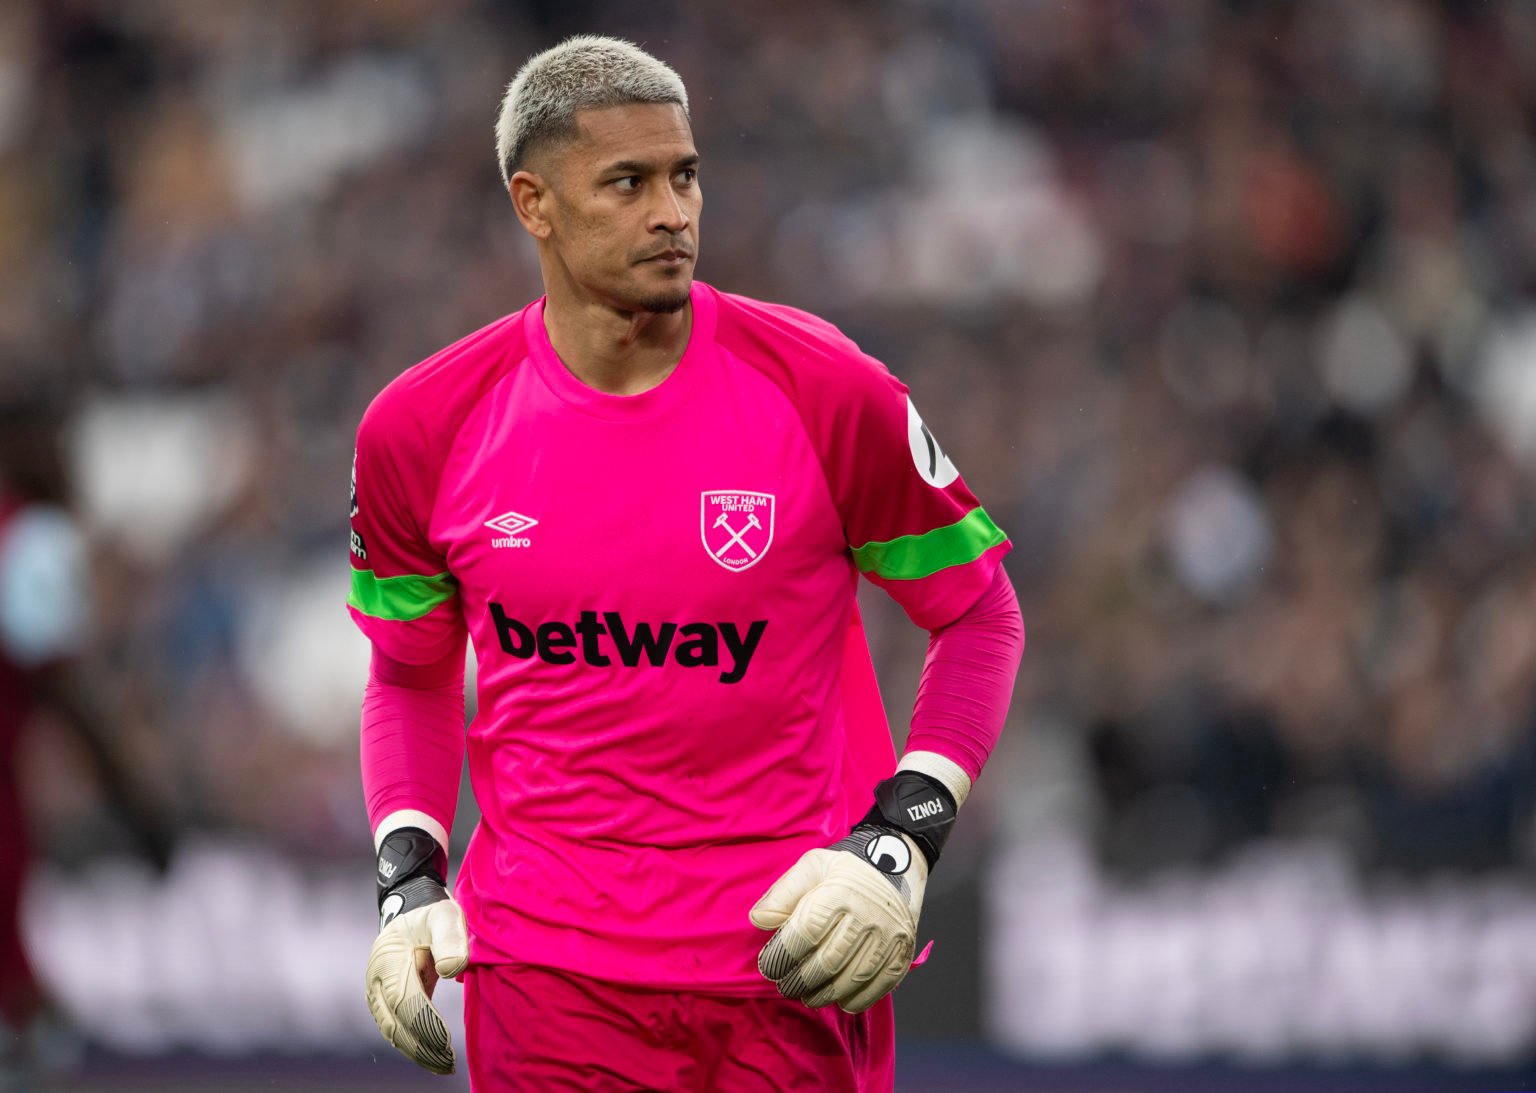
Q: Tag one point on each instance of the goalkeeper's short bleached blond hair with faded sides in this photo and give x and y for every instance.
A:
(581, 73)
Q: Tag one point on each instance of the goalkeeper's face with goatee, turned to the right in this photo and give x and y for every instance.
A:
(624, 206)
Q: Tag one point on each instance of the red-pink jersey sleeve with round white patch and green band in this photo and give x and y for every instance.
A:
(913, 526)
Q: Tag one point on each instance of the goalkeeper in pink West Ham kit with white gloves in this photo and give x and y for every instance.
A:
(647, 503)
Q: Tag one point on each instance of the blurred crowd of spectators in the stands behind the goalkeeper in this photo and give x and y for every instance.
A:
(1223, 308)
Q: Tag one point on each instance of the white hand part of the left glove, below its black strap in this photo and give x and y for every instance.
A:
(412, 951)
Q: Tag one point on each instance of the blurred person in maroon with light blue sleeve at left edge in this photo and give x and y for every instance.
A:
(45, 624)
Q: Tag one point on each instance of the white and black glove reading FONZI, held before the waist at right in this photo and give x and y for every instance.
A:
(846, 917)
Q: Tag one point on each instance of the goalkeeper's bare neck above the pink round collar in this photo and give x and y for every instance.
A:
(612, 351)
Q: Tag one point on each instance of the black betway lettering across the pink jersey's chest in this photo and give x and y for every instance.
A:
(690, 644)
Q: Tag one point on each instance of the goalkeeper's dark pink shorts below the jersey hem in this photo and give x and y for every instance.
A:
(537, 1029)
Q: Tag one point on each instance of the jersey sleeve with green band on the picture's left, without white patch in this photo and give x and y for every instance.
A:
(403, 596)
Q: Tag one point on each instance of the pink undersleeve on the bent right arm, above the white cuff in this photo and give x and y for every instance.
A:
(968, 679)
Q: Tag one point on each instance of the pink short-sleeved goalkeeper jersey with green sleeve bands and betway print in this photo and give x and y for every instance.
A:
(675, 696)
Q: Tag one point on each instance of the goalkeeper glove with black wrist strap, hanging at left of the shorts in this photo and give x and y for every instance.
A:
(422, 937)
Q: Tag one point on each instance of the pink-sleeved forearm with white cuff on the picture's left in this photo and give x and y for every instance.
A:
(412, 745)
